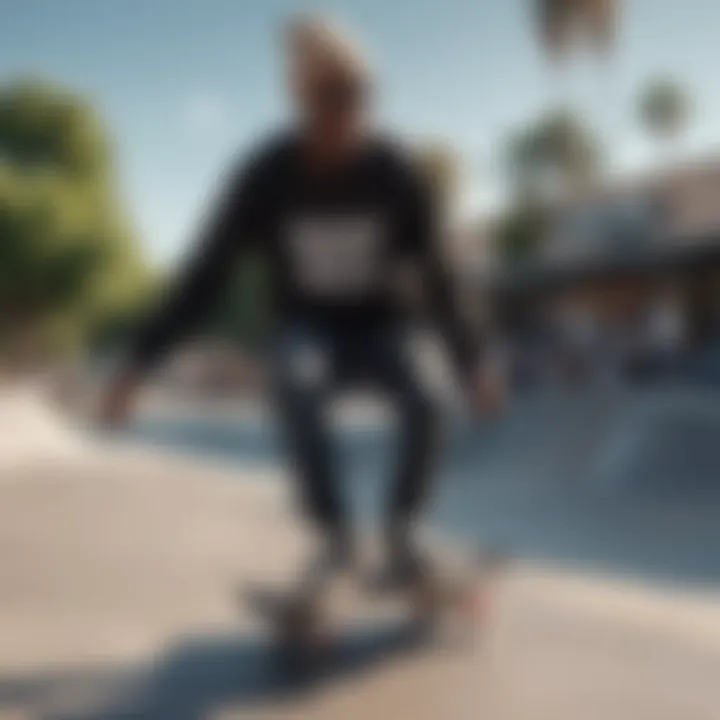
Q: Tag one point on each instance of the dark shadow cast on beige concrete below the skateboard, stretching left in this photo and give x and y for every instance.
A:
(200, 676)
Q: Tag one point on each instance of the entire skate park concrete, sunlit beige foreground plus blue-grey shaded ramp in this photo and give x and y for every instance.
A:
(121, 565)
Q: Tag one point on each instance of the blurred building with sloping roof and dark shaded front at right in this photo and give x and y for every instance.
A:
(634, 264)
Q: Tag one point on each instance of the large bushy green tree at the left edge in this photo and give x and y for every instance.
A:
(68, 260)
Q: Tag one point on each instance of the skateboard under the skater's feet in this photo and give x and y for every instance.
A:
(330, 622)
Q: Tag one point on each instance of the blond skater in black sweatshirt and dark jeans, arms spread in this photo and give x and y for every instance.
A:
(337, 207)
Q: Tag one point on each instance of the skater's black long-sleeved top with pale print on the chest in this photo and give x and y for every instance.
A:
(334, 240)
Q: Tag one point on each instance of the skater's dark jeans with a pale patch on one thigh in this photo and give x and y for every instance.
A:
(314, 361)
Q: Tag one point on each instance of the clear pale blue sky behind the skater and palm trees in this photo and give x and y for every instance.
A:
(183, 84)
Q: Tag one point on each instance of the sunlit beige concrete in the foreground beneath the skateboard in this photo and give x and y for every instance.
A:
(118, 580)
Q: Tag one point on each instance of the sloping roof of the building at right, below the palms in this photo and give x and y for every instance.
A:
(628, 225)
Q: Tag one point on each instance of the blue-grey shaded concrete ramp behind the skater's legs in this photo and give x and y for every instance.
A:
(618, 480)
